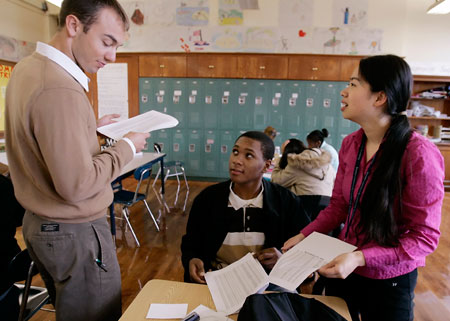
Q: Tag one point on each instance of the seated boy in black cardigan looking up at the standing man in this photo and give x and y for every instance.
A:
(242, 215)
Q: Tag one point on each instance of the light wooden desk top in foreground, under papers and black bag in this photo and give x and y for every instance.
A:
(162, 291)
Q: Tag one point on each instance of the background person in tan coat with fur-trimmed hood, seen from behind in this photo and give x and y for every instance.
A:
(307, 173)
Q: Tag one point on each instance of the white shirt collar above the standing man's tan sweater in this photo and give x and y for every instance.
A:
(65, 62)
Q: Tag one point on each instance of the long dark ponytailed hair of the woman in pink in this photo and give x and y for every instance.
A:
(392, 75)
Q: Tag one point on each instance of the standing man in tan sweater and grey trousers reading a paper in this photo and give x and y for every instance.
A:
(60, 176)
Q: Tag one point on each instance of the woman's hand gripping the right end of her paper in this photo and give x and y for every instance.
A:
(343, 265)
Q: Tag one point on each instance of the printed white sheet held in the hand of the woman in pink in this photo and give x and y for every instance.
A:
(306, 257)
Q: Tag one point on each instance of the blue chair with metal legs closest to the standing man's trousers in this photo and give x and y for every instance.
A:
(128, 198)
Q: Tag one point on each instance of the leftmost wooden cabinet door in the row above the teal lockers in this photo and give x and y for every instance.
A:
(162, 65)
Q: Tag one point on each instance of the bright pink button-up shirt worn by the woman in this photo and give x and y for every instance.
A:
(423, 192)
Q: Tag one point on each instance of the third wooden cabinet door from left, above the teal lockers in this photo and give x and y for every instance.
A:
(262, 66)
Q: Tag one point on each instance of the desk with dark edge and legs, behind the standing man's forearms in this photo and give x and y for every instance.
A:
(128, 170)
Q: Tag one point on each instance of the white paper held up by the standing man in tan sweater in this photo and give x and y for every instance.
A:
(143, 123)
